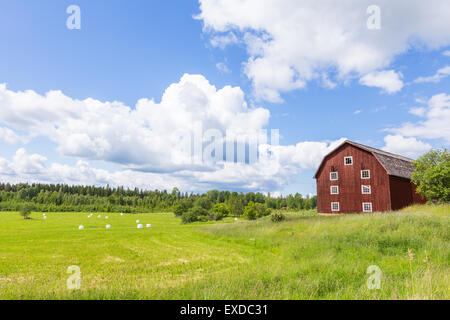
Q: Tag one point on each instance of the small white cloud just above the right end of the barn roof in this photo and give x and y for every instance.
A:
(408, 147)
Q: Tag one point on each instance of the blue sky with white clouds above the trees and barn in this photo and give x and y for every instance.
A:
(126, 51)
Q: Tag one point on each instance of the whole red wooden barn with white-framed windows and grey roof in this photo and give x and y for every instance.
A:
(357, 178)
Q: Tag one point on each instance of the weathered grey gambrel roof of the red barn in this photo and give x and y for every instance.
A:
(394, 164)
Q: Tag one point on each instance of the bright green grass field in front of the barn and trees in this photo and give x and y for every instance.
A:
(305, 257)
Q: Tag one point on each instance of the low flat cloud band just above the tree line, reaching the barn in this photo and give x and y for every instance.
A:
(266, 175)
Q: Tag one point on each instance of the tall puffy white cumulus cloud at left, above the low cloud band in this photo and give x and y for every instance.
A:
(140, 137)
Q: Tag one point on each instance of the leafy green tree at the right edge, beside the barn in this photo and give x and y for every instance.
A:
(432, 175)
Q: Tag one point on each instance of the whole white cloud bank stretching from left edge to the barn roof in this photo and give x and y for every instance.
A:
(146, 142)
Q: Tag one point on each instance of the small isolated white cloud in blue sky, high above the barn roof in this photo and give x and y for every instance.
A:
(390, 81)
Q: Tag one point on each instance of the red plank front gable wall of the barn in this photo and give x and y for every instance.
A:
(350, 196)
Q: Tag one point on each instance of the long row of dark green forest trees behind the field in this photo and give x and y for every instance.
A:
(67, 198)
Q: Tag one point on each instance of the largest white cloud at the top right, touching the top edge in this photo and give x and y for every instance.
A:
(290, 42)
